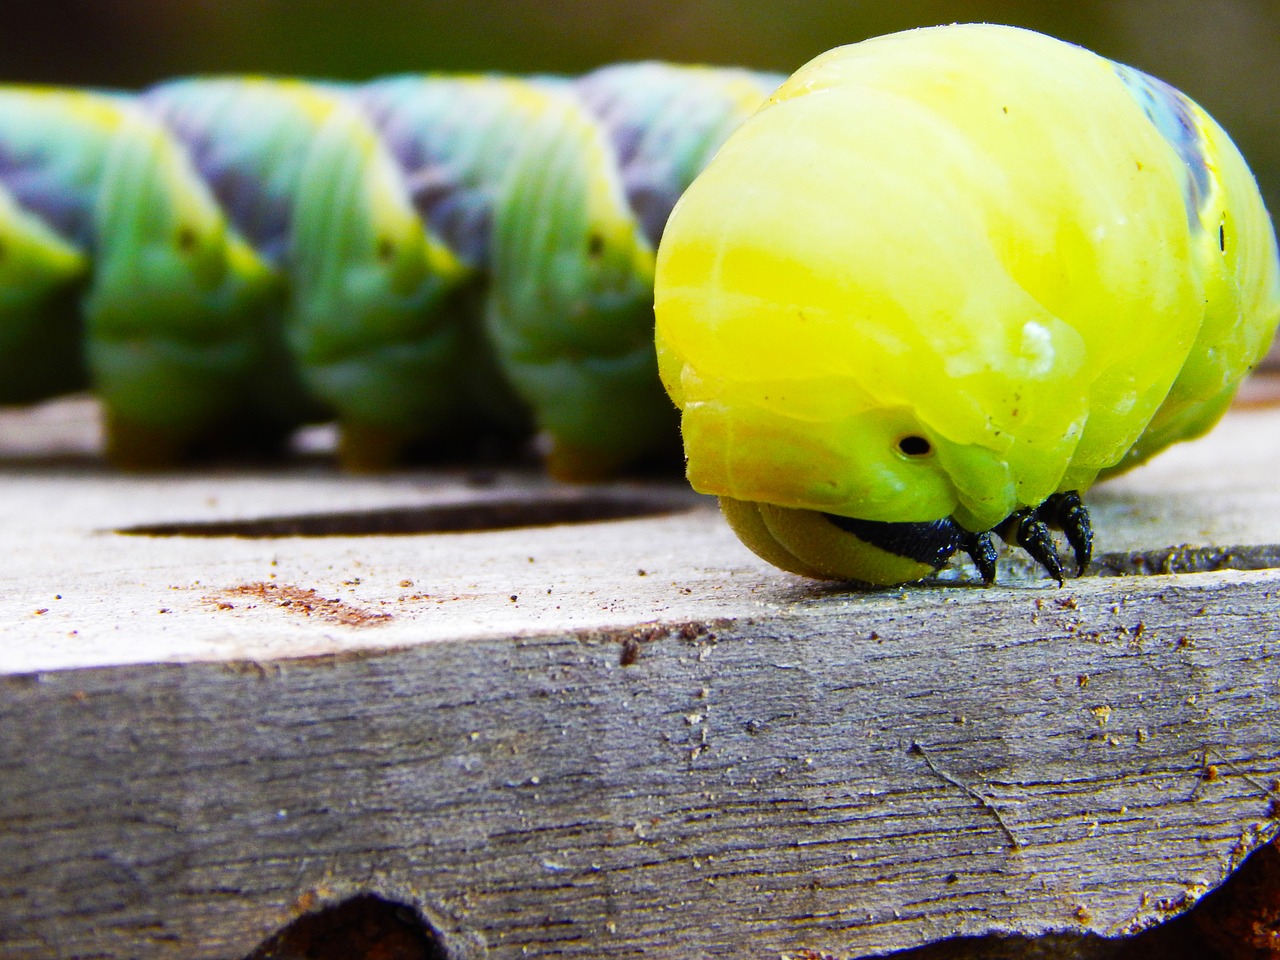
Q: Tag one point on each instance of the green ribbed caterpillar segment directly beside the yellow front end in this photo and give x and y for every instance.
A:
(572, 309)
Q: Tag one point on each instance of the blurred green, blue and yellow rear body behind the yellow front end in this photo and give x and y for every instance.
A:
(422, 258)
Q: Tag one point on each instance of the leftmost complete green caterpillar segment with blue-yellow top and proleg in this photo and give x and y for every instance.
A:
(167, 314)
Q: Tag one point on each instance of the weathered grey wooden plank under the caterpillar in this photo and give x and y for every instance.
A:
(707, 760)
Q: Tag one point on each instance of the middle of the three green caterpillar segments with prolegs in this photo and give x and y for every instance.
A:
(324, 200)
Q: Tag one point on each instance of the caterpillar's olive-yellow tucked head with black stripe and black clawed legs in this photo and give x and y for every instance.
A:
(830, 547)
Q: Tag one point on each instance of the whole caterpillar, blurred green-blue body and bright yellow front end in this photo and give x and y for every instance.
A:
(932, 289)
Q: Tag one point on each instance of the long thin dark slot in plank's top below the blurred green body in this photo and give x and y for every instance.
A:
(469, 516)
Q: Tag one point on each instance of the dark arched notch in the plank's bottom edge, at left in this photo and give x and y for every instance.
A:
(362, 929)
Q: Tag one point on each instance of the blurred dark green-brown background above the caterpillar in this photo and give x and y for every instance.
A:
(1223, 53)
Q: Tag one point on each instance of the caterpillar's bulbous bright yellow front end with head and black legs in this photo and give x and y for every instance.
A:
(985, 269)
